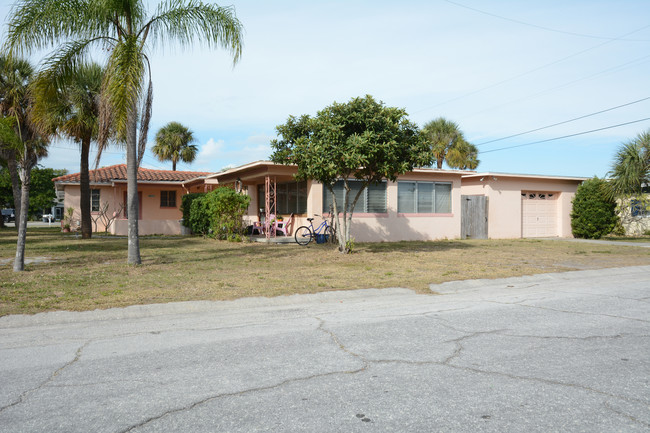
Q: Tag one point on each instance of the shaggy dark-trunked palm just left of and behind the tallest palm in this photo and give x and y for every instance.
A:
(72, 109)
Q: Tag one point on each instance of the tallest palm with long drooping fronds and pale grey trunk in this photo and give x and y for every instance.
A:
(127, 32)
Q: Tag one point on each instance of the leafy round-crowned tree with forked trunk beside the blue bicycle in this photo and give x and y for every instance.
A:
(360, 139)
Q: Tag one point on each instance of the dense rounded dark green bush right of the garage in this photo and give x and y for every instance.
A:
(593, 214)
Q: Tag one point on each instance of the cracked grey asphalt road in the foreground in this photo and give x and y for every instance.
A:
(557, 352)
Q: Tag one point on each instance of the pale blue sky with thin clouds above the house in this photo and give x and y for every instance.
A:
(497, 68)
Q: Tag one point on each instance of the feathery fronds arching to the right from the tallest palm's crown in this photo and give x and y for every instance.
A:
(191, 21)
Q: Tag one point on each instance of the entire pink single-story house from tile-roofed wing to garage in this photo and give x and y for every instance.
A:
(424, 204)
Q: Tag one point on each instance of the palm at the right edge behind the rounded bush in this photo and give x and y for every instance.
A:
(631, 168)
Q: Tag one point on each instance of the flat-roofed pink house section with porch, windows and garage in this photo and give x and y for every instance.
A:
(424, 204)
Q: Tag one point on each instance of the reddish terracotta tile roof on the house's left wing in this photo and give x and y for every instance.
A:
(118, 173)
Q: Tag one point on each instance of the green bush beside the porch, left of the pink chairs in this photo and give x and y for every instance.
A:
(219, 213)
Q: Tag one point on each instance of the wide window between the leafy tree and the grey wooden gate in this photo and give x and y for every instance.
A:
(423, 197)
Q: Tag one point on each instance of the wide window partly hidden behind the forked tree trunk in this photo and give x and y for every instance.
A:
(372, 200)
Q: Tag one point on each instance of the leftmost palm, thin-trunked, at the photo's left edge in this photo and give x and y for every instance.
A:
(21, 138)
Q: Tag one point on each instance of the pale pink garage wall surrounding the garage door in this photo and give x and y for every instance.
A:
(505, 204)
